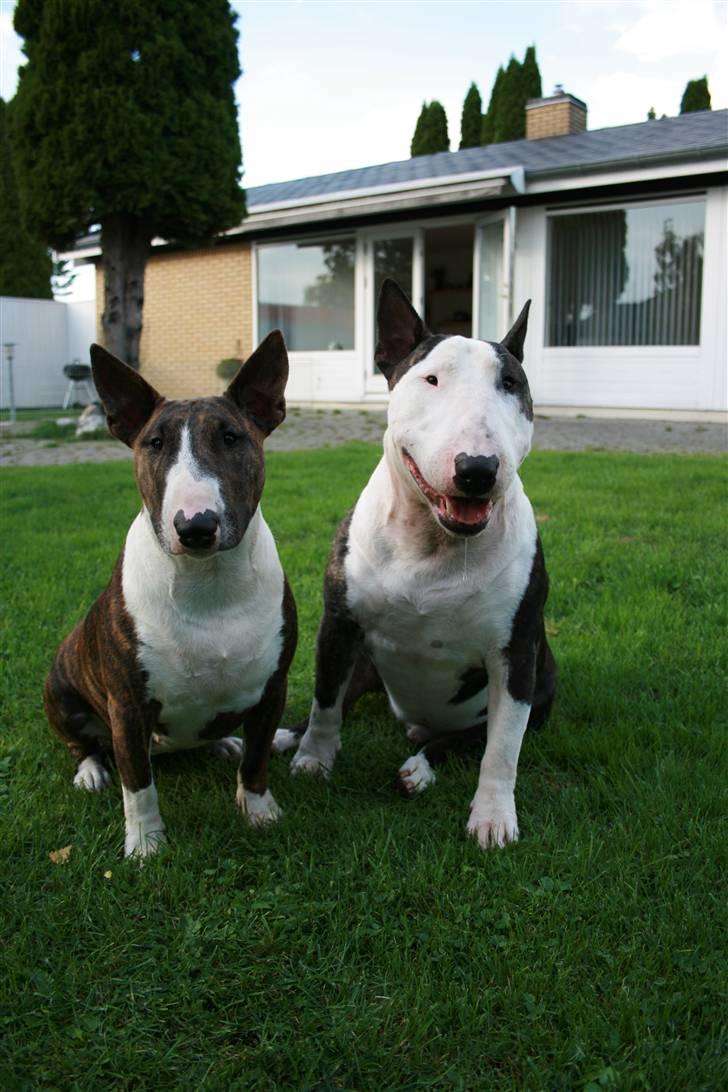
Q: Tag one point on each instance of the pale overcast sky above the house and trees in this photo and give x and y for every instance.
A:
(329, 86)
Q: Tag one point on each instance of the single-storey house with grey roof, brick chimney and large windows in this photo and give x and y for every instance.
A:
(619, 236)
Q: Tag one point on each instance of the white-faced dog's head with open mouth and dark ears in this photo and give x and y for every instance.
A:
(460, 417)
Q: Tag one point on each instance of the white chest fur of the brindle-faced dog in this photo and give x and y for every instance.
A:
(210, 632)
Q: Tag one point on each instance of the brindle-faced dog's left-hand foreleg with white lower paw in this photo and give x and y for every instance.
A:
(133, 740)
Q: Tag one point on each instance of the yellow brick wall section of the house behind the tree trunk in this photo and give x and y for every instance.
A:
(198, 310)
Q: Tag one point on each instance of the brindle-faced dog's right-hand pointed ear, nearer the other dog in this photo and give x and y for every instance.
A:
(259, 387)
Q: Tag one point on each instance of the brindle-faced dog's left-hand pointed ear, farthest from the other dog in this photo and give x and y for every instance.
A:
(128, 400)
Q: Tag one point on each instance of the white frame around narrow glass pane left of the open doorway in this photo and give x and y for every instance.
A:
(374, 382)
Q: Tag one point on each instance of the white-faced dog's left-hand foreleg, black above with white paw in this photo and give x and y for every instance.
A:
(338, 647)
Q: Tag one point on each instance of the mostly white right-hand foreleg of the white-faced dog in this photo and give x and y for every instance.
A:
(493, 812)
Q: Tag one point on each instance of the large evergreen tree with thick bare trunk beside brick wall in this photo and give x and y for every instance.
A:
(126, 118)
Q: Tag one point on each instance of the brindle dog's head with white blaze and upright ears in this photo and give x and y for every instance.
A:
(199, 465)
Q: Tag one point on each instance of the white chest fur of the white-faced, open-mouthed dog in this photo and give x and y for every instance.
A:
(432, 616)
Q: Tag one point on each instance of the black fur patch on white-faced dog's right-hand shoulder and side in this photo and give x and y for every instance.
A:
(531, 668)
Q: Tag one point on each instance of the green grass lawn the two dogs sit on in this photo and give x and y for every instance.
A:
(365, 943)
